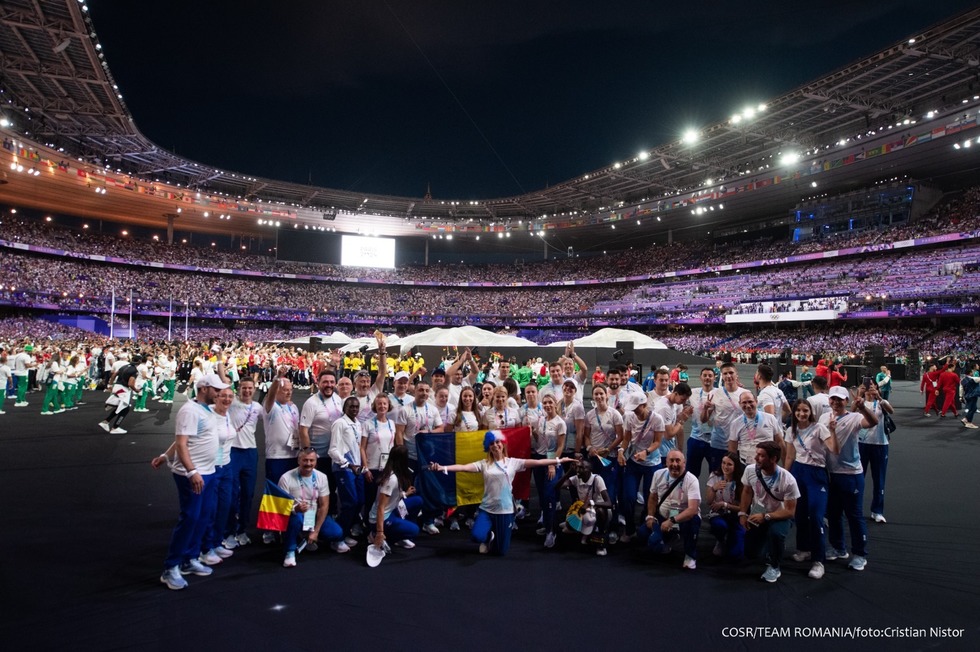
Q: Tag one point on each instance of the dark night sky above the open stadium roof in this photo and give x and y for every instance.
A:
(480, 99)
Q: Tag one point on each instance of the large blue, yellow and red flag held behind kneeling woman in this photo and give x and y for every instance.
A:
(440, 490)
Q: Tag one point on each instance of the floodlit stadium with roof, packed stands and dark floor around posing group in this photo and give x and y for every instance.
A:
(839, 220)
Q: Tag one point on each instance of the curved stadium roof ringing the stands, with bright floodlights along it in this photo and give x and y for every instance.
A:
(61, 91)
